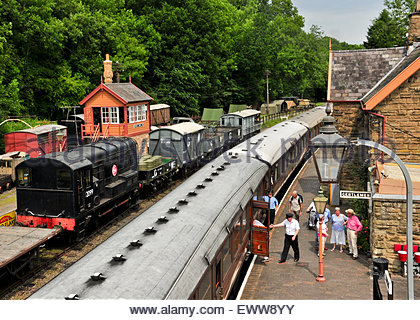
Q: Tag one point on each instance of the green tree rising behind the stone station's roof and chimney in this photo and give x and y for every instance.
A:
(391, 27)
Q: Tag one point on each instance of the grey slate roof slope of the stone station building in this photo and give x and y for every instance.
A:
(356, 72)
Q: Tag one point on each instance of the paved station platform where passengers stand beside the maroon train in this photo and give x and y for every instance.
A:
(346, 279)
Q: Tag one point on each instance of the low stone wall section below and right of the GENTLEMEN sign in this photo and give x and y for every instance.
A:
(388, 227)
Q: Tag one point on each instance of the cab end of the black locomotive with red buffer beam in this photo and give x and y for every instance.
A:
(51, 190)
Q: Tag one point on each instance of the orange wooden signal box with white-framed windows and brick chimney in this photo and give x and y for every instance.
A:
(117, 109)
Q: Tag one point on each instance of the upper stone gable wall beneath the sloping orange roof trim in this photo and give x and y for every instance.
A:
(402, 111)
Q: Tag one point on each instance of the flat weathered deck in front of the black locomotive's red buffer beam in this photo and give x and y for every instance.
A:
(19, 245)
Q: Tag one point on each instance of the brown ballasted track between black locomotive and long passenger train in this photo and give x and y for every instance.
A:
(53, 259)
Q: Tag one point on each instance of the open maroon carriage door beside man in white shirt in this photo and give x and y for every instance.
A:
(260, 240)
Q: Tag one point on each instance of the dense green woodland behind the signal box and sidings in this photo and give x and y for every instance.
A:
(190, 54)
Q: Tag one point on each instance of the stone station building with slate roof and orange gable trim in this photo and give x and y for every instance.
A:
(375, 95)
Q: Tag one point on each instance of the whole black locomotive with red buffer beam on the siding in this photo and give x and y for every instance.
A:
(73, 189)
